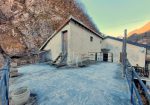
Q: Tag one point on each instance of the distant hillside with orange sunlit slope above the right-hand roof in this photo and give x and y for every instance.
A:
(141, 35)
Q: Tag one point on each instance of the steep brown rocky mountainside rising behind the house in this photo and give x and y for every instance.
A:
(26, 24)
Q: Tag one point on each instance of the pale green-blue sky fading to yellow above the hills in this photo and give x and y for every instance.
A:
(113, 16)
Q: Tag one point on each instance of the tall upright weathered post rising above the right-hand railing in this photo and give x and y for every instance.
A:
(124, 53)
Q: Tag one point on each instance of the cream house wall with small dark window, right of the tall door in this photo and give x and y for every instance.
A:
(80, 44)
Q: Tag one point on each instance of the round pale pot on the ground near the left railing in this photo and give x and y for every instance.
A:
(20, 96)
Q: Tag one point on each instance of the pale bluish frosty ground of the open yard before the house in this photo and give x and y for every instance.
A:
(100, 84)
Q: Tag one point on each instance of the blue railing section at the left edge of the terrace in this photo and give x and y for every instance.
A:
(4, 84)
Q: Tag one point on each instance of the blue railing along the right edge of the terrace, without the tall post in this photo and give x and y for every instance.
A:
(136, 98)
